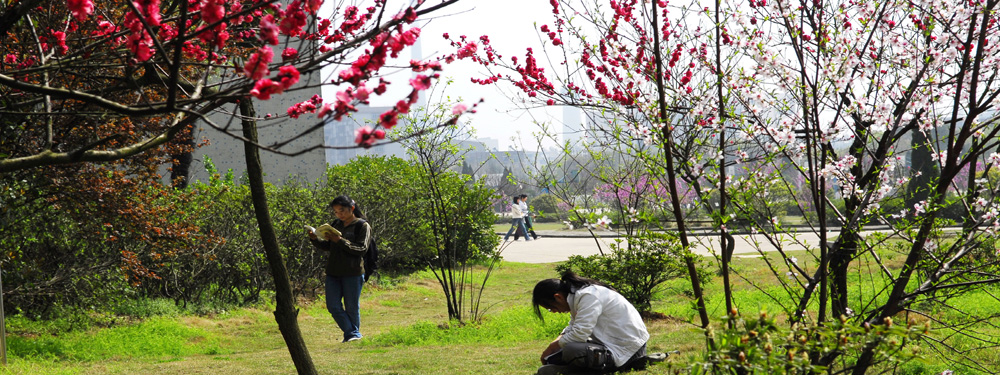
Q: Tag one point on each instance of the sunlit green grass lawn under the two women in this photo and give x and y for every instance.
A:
(405, 327)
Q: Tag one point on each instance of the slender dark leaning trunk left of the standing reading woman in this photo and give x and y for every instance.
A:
(285, 312)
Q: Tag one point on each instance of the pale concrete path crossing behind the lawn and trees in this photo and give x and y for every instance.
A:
(557, 246)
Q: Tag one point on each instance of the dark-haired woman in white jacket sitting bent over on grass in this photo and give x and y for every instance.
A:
(605, 332)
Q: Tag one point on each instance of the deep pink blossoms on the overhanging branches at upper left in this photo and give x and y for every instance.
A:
(273, 20)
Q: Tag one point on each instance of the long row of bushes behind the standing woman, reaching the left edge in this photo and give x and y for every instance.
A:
(57, 261)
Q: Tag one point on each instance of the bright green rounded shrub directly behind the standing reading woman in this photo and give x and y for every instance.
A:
(393, 195)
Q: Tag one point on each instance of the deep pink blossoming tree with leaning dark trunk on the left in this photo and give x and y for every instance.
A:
(98, 82)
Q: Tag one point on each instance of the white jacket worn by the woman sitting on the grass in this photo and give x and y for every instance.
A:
(605, 315)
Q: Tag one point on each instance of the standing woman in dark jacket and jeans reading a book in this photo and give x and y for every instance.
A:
(345, 265)
